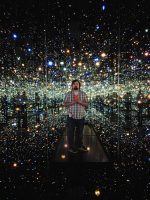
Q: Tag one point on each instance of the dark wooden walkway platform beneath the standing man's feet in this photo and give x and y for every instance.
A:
(95, 153)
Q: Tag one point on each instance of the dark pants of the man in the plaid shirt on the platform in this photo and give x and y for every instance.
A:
(75, 132)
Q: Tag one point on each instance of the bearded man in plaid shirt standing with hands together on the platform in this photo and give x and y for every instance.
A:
(76, 101)
